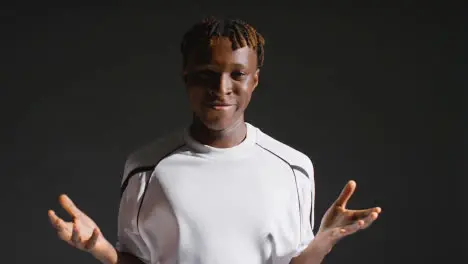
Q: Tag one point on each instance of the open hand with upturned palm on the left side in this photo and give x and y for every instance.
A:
(82, 232)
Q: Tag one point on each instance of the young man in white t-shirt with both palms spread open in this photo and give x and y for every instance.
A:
(221, 191)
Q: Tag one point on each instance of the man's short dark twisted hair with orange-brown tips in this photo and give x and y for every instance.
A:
(239, 32)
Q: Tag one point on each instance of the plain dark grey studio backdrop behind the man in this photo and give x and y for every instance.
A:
(371, 94)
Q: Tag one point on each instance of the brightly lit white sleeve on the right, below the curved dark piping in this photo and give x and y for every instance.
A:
(306, 190)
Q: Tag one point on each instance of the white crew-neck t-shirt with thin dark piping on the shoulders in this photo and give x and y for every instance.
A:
(188, 203)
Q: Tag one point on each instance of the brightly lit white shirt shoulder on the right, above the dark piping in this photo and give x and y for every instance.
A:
(298, 160)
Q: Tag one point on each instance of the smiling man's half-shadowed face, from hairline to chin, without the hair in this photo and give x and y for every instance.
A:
(220, 82)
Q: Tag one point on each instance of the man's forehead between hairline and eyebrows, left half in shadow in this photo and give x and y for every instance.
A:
(220, 53)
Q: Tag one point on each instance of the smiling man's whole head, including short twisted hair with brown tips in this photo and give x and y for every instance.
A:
(221, 64)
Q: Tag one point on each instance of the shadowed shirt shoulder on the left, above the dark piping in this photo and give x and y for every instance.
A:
(150, 154)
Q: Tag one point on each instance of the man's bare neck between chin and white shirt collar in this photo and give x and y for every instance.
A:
(226, 138)
